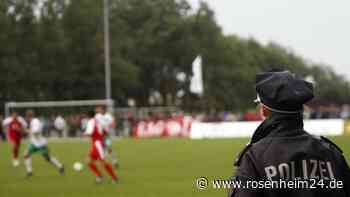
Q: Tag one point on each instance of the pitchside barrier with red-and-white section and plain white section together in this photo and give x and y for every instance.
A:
(185, 127)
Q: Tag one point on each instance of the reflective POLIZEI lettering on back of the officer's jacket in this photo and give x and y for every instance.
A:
(304, 169)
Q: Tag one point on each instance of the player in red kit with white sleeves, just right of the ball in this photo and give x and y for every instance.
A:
(97, 153)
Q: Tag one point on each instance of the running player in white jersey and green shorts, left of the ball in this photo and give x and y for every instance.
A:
(38, 144)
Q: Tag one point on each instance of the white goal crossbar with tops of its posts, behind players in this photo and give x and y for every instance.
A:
(52, 104)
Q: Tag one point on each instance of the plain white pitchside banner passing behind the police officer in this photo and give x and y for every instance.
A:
(199, 130)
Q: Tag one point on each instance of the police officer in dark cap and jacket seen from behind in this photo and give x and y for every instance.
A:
(280, 149)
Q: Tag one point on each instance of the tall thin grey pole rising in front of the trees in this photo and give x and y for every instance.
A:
(107, 50)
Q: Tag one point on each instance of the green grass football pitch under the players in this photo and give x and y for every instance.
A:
(149, 168)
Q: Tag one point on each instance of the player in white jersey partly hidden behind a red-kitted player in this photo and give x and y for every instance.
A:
(107, 122)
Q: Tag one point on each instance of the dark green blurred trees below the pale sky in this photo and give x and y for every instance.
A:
(56, 52)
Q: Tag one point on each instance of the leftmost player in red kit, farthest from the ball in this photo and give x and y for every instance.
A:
(15, 126)
